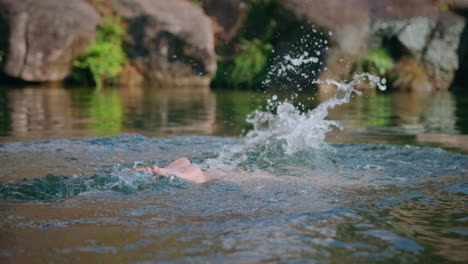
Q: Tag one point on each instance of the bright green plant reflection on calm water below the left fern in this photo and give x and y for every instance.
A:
(107, 109)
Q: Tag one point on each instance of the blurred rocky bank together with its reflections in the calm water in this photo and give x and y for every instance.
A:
(157, 67)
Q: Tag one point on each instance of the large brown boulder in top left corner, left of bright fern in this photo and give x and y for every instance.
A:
(40, 39)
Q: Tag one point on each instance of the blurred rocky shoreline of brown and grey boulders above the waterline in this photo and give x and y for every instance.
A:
(182, 42)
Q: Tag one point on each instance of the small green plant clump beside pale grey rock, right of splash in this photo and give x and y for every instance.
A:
(377, 62)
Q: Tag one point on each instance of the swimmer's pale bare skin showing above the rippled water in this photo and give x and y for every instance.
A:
(181, 168)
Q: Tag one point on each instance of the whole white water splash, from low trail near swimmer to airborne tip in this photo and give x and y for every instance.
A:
(285, 130)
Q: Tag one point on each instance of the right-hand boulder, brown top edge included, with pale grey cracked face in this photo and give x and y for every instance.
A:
(423, 31)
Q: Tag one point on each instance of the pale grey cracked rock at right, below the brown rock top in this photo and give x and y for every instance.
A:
(433, 41)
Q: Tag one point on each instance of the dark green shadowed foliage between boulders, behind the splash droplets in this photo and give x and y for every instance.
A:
(251, 55)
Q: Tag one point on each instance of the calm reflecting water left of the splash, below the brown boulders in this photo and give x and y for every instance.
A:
(43, 112)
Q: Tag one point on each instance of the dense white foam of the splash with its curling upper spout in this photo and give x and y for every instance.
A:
(302, 130)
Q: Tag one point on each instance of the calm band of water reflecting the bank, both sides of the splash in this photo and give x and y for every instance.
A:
(31, 113)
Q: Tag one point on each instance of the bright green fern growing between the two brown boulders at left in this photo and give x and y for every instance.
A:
(105, 57)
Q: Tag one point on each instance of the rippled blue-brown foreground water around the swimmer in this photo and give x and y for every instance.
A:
(353, 203)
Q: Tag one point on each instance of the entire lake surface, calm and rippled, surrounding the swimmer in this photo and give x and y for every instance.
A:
(391, 187)
